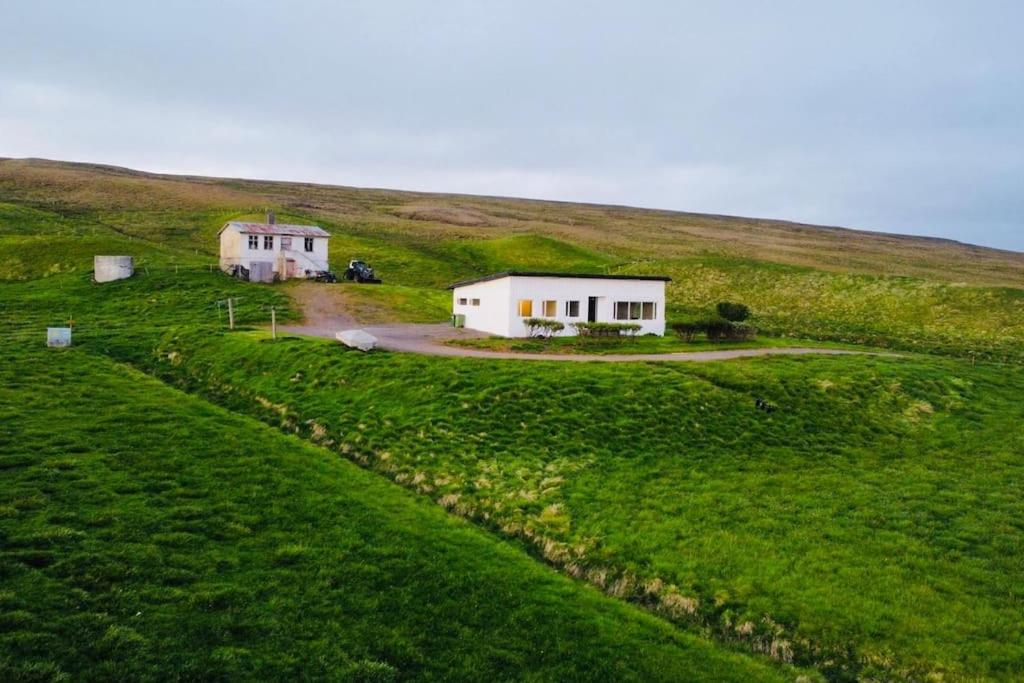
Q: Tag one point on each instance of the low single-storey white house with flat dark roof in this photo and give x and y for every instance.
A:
(499, 304)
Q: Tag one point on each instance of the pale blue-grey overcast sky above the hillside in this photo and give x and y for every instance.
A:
(905, 117)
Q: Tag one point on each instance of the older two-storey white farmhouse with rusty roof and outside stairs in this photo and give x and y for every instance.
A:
(262, 251)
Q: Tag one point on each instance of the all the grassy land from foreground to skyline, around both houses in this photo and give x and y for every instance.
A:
(869, 529)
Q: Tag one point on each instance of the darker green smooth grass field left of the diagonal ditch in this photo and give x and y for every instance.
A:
(155, 537)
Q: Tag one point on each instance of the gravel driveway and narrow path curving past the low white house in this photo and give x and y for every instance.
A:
(327, 314)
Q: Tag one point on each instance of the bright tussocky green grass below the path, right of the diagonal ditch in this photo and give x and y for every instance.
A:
(866, 486)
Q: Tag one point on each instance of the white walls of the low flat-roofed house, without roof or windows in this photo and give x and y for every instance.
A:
(498, 313)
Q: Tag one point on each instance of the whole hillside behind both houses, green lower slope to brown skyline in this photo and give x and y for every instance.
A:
(840, 285)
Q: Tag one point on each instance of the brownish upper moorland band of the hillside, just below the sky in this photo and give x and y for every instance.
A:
(135, 201)
